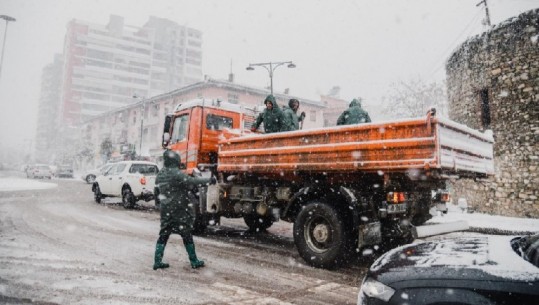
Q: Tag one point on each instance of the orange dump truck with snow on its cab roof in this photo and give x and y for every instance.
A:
(344, 188)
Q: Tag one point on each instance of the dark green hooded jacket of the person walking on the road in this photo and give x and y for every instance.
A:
(177, 212)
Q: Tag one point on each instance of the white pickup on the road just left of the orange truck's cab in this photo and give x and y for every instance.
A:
(130, 180)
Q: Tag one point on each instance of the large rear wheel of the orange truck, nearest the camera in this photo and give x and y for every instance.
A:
(321, 235)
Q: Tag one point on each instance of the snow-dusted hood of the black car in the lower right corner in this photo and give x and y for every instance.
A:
(482, 258)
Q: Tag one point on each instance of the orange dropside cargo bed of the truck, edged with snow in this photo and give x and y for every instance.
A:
(431, 143)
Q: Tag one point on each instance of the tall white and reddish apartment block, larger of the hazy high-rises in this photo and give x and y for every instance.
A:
(105, 66)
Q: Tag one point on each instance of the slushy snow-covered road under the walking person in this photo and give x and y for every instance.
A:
(59, 247)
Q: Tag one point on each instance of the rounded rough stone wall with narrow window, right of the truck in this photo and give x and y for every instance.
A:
(500, 68)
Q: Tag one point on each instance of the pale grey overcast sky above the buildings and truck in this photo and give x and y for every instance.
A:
(362, 46)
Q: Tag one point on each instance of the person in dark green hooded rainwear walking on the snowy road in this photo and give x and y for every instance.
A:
(177, 214)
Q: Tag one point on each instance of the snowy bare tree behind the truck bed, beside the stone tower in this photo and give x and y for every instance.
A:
(412, 98)
